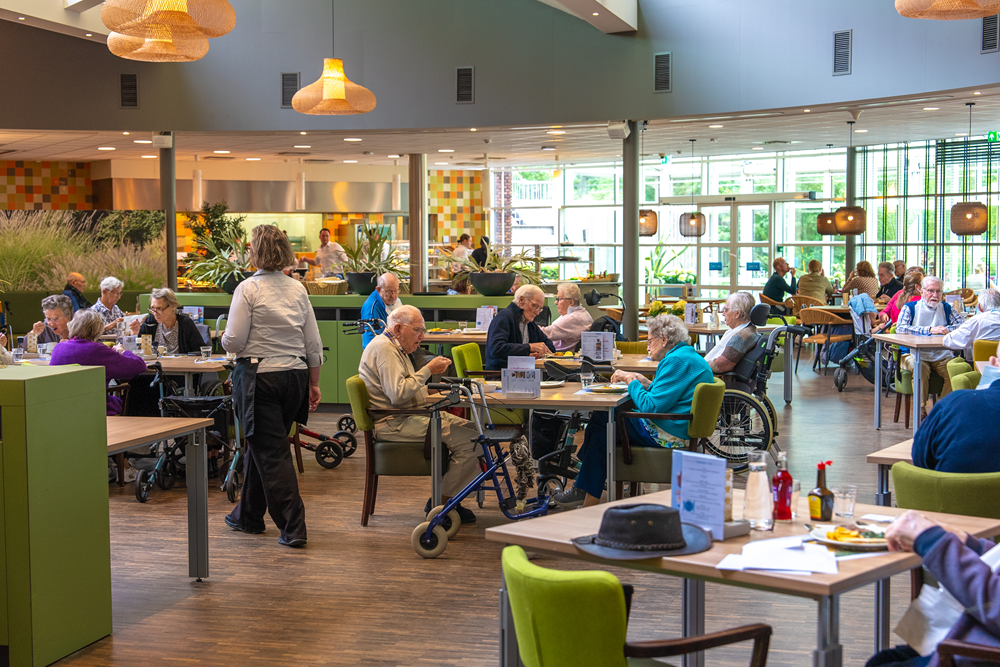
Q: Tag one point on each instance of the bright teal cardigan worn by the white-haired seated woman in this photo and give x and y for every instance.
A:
(672, 390)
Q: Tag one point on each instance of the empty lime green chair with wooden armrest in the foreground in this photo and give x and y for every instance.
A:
(594, 633)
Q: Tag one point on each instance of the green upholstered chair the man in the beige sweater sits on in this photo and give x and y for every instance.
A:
(399, 459)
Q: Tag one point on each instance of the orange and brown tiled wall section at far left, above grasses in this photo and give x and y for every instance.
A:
(46, 186)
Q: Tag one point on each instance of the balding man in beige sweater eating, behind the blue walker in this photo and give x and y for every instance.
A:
(393, 383)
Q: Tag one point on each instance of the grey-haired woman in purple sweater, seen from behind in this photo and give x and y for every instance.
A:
(82, 348)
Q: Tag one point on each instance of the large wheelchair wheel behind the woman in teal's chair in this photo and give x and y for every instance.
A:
(744, 426)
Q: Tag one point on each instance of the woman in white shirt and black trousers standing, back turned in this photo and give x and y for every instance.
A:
(272, 330)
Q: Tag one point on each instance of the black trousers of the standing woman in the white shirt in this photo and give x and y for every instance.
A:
(269, 481)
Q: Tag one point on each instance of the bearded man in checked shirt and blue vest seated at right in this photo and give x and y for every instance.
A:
(929, 317)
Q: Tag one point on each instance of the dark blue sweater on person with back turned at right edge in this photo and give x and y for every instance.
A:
(959, 434)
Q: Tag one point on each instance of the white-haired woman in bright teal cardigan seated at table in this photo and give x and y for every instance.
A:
(679, 371)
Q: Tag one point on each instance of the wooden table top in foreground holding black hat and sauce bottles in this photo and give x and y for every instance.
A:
(553, 534)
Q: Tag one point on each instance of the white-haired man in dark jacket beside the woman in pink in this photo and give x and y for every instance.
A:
(513, 332)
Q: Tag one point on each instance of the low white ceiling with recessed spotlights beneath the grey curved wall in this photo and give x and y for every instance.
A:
(886, 121)
